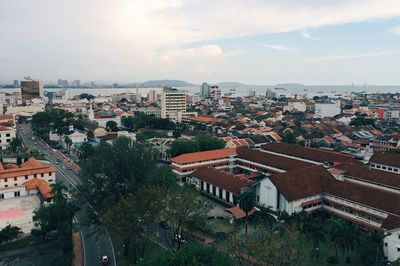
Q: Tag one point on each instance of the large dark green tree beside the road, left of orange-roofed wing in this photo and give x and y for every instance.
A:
(116, 169)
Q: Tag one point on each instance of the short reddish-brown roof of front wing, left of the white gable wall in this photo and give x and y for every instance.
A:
(222, 179)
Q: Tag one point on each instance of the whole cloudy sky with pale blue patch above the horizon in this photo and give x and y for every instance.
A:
(250, 41)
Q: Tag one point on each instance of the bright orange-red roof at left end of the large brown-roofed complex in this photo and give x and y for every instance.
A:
(203, 156)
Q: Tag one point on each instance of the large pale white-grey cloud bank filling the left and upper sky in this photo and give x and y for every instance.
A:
(113, 39)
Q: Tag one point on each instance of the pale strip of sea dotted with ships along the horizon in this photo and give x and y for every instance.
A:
(289, 90)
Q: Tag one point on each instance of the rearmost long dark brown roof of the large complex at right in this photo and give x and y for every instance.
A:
(309, 153)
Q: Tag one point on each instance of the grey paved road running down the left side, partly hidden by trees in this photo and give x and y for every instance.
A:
(95, 244)
